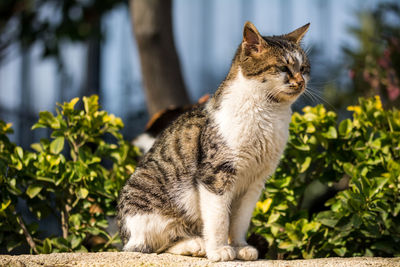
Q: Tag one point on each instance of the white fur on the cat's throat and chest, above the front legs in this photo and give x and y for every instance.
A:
(253, 127)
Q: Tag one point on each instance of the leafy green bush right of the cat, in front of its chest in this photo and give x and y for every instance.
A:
(364, 154)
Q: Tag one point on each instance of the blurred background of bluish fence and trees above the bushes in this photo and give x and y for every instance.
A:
(179, 50)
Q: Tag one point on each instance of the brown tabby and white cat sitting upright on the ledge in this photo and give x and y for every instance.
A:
(193, 193)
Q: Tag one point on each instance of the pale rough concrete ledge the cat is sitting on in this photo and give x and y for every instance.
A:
(122, 259)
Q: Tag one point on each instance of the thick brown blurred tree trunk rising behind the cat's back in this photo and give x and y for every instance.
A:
(161, 73)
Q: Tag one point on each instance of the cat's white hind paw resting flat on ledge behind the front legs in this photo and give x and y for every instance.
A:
(193, 246)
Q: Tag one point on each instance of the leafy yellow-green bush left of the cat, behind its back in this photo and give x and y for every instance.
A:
(67, 177)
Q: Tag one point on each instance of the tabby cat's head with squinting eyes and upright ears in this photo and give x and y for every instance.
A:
(277, 64)
